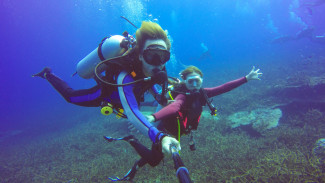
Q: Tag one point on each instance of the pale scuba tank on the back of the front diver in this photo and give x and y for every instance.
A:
(111, 47)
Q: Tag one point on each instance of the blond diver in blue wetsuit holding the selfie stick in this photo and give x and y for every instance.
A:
(128, 75)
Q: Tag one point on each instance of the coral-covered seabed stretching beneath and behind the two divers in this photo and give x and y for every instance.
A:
(287, 153)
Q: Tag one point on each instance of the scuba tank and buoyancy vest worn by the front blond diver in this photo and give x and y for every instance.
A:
(104, 64)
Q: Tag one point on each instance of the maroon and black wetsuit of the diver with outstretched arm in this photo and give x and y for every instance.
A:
(168, 116)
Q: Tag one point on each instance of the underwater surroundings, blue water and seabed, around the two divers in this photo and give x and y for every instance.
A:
(265, 131)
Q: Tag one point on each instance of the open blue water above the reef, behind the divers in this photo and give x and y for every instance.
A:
(59, 33)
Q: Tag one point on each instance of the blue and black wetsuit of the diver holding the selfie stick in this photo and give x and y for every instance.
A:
(127, 97)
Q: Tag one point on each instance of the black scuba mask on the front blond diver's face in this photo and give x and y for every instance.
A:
(156, 57)
